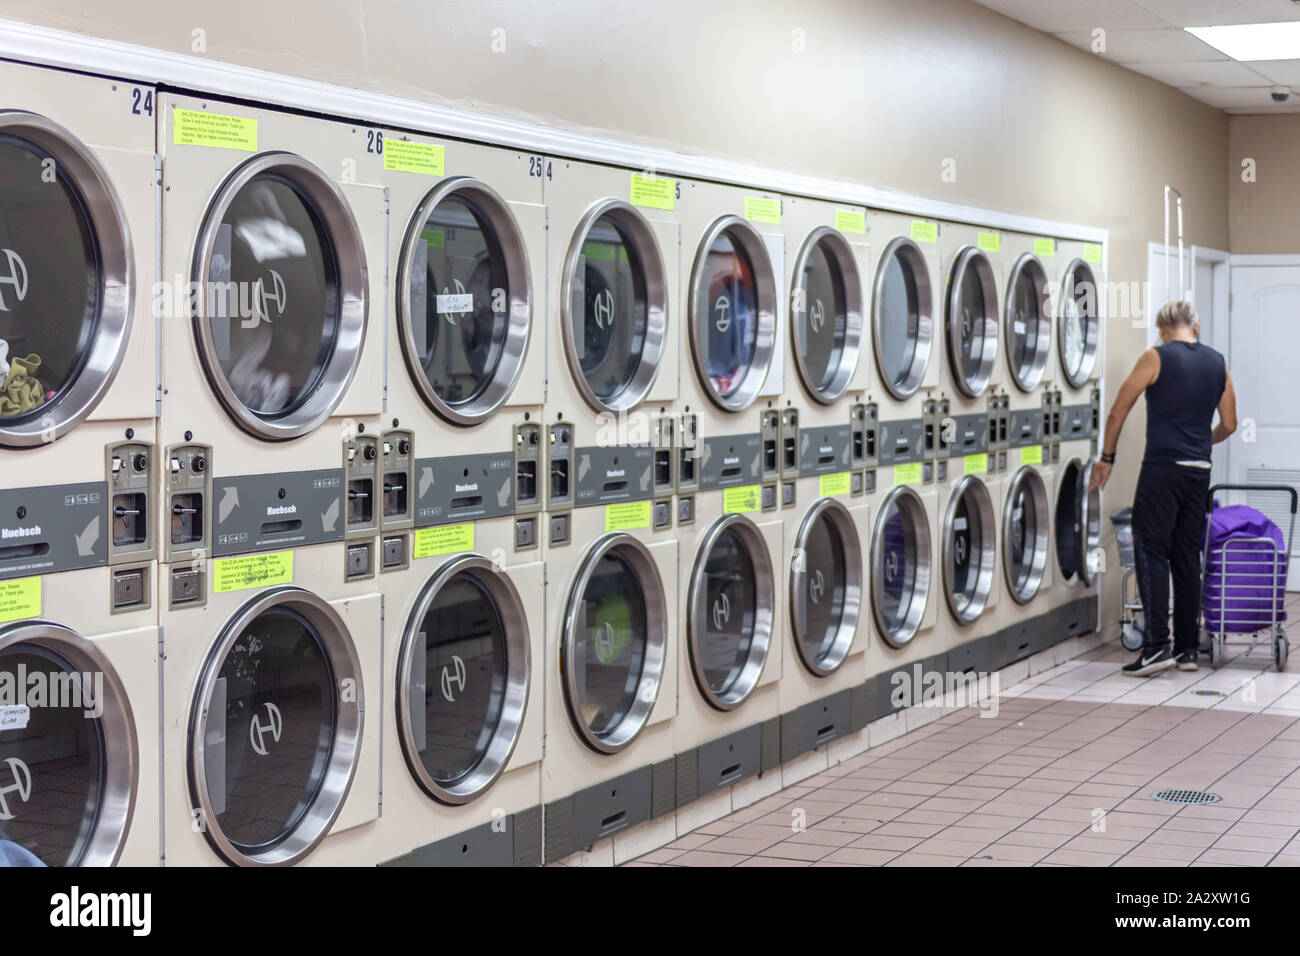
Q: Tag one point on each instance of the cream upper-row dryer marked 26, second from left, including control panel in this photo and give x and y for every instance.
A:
(274, 340)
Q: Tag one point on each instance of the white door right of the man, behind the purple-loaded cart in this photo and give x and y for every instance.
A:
(1266, 364)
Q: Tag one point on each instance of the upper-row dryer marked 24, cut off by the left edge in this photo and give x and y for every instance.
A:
(79, 343)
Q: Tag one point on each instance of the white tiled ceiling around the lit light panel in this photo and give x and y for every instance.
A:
(1149, 37)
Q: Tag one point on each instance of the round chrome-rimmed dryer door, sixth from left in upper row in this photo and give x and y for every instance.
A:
(827, 325)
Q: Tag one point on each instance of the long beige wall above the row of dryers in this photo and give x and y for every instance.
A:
(883, 94)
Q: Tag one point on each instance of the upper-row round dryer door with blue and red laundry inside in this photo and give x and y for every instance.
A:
(733, 313)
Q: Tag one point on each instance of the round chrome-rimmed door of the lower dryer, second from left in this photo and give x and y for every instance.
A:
(276, 729)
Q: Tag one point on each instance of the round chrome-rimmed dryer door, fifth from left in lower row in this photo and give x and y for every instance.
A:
(731, 612)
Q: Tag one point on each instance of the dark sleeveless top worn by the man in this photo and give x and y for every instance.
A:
(1181, 403)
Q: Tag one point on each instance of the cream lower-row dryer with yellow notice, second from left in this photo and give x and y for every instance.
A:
(274, 715)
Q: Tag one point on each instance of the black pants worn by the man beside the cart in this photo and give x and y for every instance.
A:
(1169, 534)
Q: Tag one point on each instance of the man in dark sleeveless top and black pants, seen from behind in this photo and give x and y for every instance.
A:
(1186, 383)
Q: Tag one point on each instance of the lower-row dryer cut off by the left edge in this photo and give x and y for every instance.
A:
(80, 771)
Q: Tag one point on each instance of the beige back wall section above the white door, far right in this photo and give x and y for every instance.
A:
(1264, 217)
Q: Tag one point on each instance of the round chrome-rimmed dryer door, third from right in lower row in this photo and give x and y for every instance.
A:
(969, 550)
